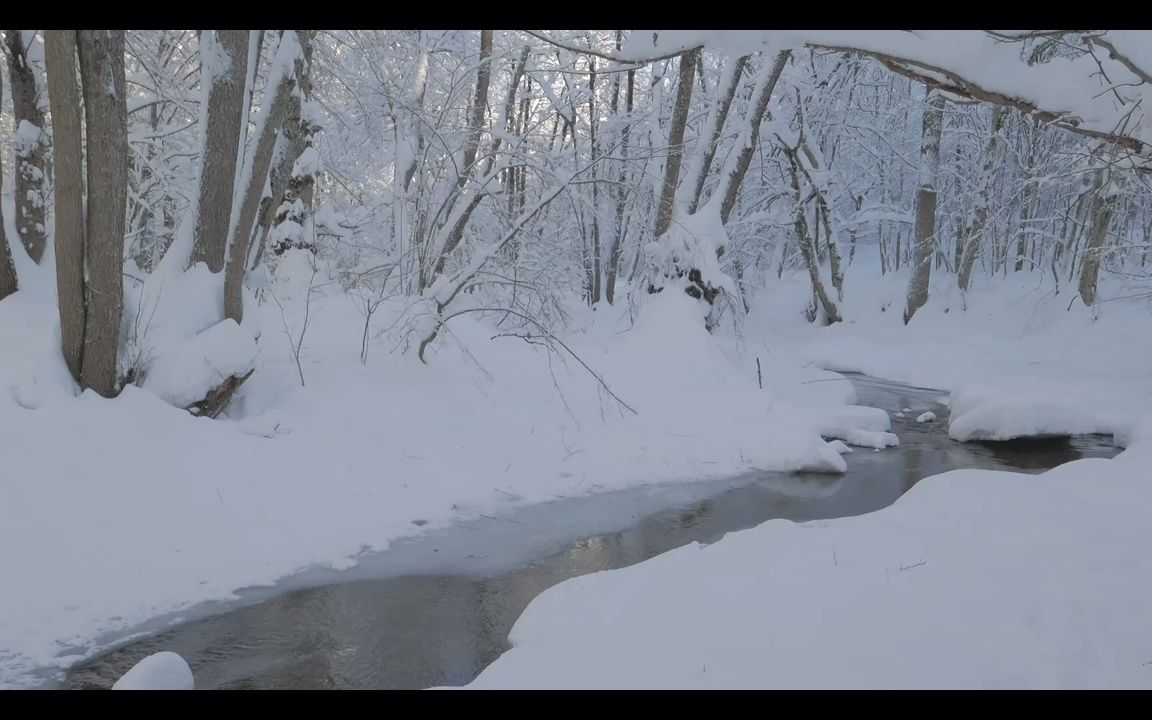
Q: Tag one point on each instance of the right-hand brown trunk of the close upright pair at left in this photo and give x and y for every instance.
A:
(102, 69)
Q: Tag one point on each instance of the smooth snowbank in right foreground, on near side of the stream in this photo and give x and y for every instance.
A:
(974, 580)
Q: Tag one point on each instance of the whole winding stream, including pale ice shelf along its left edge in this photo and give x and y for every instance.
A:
(437, 610)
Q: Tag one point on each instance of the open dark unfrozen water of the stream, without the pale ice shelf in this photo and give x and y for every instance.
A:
(443, 628)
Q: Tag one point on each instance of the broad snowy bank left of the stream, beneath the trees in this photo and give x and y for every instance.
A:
(117, 512)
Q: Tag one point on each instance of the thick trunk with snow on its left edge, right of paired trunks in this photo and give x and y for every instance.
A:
(224, 56)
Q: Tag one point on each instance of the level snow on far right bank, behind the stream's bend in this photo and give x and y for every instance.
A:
(1019, 361)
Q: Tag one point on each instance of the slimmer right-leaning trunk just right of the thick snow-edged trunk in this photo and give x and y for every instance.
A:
(282, 88)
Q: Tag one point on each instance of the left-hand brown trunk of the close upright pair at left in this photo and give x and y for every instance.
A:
(69, 168)
